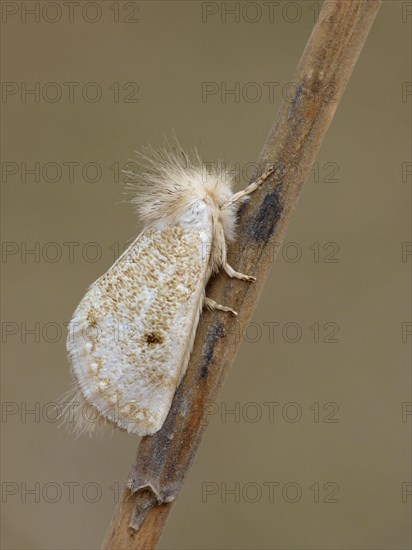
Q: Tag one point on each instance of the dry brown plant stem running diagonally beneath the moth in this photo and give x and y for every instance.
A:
(163, 460)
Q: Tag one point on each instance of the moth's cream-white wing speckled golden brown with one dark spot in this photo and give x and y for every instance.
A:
(131, 335)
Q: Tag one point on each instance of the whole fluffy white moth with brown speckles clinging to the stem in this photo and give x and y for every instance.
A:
(131, 336)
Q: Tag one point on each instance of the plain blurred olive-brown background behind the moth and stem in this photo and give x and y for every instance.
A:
(357, 446)
